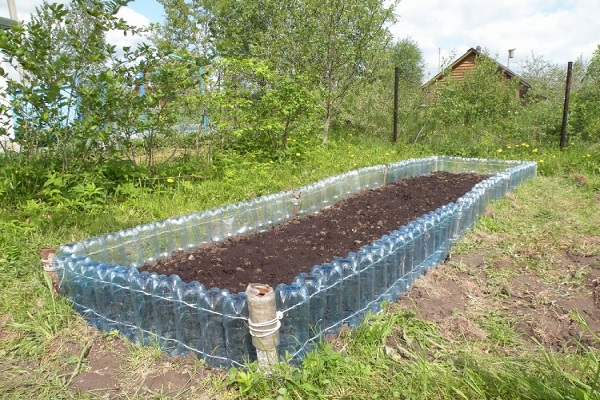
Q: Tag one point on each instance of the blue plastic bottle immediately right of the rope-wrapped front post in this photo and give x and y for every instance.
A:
(294, 302)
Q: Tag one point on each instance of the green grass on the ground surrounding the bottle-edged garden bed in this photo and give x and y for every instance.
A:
(395, 355)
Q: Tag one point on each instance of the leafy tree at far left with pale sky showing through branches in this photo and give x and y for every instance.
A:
(56, 50)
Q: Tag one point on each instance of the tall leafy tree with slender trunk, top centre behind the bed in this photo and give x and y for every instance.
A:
(330, 44)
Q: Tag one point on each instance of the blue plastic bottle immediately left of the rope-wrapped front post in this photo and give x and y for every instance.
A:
(237, 335)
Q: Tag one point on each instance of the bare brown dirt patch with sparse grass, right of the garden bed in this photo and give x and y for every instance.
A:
(551, 307)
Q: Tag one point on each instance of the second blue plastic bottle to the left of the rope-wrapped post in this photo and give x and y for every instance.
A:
(213, 332)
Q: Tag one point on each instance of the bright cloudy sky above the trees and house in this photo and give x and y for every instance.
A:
(556, 30)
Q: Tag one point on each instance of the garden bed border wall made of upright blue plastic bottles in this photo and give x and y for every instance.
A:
(100, 275)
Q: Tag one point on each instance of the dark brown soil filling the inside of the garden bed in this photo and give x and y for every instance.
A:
(279, 254)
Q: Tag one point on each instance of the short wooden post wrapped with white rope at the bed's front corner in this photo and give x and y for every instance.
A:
(263, 323)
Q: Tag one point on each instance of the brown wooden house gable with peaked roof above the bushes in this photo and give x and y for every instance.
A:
(465, 63)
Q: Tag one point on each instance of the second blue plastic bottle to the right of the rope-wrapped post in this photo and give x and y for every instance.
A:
(332, 282)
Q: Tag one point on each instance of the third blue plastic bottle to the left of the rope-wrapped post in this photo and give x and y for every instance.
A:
(188, 326)
